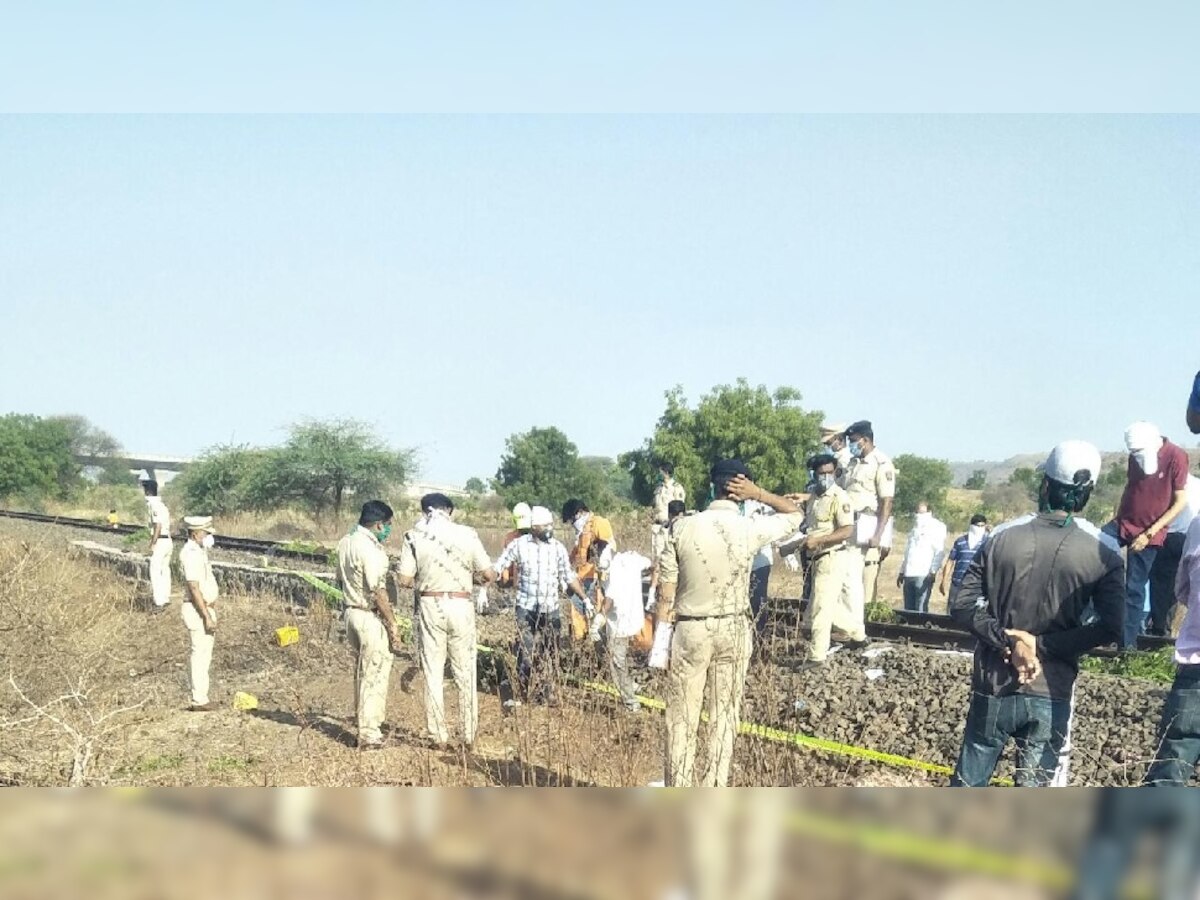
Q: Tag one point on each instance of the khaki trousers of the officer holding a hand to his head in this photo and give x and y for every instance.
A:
(715, 653)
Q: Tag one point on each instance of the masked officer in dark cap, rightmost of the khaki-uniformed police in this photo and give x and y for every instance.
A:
(871, 481)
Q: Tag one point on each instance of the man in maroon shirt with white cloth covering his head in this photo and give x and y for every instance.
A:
(1156, 493)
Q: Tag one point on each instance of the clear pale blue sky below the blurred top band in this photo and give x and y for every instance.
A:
(977, 286)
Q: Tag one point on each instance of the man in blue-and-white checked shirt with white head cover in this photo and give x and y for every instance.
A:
(543, 568)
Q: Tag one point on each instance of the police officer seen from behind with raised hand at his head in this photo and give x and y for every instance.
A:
(705, 581)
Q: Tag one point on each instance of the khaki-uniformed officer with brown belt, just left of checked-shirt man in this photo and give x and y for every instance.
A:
(443, 561)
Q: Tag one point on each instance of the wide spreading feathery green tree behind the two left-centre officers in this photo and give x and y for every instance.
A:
(322, 464)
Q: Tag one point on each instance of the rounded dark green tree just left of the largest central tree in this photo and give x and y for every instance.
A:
(543, 467)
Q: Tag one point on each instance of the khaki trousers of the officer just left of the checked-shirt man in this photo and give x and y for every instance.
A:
(448, 629)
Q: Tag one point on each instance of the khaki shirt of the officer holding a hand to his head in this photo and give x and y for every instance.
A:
(709, 556)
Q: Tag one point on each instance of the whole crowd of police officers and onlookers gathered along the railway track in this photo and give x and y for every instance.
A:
(1037, 592)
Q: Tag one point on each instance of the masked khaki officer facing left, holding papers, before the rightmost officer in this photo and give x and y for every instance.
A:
(829, 526)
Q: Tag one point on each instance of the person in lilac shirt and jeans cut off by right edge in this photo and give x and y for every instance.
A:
(1179, 733)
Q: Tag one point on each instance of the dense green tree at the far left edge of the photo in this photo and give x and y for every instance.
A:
(37, 459)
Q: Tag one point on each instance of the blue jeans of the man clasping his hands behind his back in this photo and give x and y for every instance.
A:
(1039, 725)
